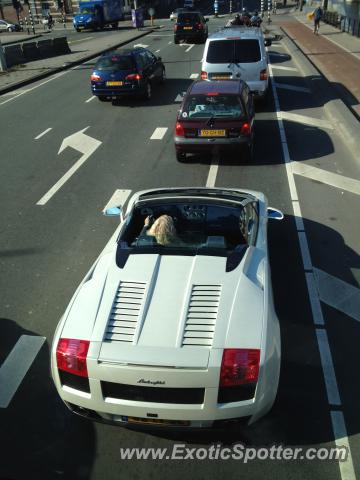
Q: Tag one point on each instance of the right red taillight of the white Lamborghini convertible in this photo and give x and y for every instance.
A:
(239, 366)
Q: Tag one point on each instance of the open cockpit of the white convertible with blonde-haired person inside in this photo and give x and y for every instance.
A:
(189, 228)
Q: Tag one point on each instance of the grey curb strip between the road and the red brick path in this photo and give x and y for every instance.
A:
(347, 123)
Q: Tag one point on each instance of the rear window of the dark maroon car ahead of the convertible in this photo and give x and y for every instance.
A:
(216, 106)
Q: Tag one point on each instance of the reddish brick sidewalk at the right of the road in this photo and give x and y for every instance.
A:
(336, 54)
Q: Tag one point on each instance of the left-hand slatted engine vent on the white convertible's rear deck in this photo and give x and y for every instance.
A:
(125, 312)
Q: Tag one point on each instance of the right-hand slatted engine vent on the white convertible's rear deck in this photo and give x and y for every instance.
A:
(201, 315)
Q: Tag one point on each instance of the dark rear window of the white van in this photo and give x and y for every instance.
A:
(234, 51)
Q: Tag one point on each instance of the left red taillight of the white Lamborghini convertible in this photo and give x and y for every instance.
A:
(71, 356)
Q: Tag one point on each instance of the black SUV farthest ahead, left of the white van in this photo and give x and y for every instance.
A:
(190, 25)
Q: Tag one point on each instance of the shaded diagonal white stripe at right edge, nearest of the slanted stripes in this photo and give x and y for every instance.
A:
(338, 294)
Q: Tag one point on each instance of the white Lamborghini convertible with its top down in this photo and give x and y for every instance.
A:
(175, 329)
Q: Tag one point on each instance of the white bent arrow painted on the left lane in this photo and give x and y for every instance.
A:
(83, 144)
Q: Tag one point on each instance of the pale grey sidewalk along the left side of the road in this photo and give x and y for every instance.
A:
(21, 75)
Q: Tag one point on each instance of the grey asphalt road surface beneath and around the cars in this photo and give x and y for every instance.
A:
(47, 246)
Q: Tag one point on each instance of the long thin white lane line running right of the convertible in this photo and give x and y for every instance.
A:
(346, 468)
